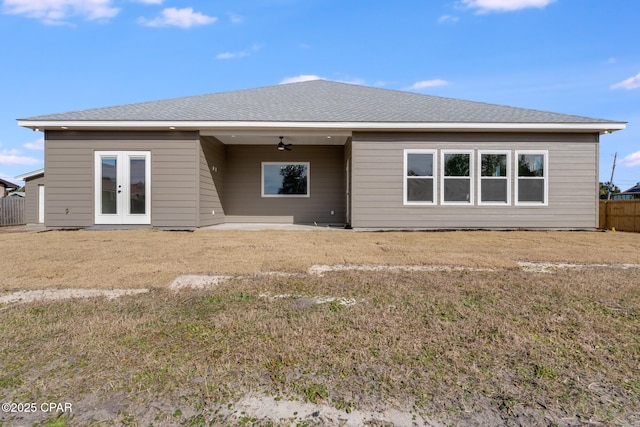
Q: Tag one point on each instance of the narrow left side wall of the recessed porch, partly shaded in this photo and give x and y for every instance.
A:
(212, 170)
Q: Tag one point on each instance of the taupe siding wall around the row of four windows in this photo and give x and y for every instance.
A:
(377, 193)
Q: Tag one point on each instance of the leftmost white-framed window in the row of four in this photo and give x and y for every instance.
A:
(419, 177)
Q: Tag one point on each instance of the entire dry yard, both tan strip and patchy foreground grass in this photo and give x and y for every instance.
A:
(502, 347)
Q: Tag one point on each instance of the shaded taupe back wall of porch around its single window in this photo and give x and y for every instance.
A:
(242, 193)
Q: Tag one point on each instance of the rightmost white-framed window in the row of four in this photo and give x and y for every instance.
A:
(531, 177)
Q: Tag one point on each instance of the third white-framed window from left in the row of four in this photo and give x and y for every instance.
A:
(494, 180)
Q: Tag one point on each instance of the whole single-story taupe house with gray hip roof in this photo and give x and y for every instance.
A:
(323, 152)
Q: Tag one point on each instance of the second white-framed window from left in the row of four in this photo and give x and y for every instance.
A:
(457, 173)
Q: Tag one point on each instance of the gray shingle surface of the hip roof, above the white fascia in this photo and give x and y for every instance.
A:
(317, 101)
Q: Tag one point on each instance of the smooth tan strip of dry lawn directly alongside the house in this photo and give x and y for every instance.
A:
(151, 258)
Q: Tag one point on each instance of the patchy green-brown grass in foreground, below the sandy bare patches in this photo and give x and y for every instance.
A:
(453, 346)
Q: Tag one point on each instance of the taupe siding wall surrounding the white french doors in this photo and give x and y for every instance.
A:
(69, 166)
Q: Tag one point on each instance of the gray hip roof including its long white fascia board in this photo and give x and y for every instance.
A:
(314, 104)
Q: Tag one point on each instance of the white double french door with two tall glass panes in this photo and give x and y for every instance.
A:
(123, 187)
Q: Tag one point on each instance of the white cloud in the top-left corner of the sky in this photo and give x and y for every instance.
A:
(55, 12)
